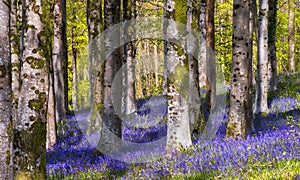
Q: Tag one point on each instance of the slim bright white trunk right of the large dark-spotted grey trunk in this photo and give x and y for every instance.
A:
(262, 59)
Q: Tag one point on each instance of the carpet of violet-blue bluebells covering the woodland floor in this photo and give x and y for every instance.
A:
(277, 139)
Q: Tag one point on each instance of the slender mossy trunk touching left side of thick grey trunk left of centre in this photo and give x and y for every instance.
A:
(95, 23)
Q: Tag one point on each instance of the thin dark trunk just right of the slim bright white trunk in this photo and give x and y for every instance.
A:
(272, 69)
